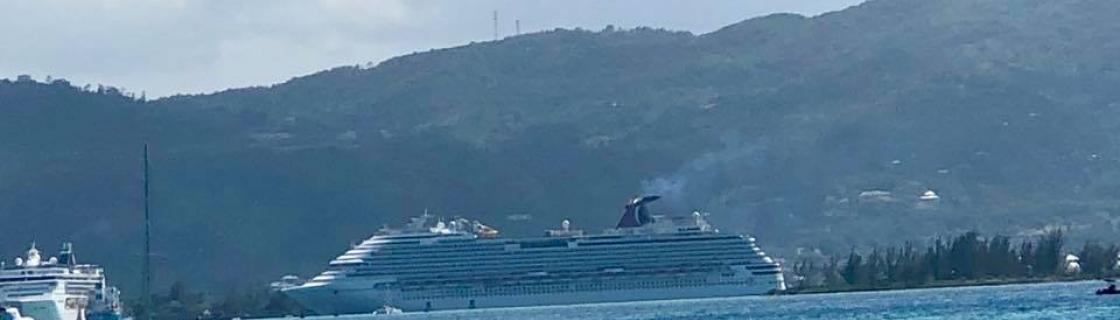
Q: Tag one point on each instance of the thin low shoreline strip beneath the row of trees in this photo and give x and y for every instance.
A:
(951, 284)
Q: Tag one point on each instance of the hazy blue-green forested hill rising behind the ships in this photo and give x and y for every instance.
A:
(816, 133)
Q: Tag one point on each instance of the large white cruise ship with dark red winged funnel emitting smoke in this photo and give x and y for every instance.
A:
(432, 265)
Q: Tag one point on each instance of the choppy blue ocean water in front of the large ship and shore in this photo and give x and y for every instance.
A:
(1071, 300)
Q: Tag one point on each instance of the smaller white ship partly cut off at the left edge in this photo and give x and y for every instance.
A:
(57, 289)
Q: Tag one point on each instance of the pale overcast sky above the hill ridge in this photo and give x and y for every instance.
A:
(165, 48)
